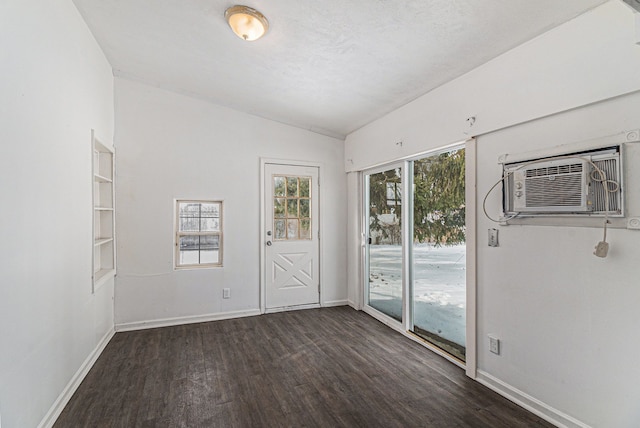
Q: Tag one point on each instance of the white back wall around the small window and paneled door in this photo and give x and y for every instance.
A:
(174, 147)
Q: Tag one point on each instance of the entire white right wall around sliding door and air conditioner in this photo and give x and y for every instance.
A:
(567, 320)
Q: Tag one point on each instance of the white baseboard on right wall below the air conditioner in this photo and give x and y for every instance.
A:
(528, 402)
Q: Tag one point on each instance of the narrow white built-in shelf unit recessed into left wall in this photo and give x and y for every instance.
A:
(104, 248)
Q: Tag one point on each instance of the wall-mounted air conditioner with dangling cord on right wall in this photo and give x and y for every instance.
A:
(567, 184)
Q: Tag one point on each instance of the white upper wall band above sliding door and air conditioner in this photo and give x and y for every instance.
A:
(589, 59)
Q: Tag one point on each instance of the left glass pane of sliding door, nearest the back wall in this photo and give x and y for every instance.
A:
(384, 235)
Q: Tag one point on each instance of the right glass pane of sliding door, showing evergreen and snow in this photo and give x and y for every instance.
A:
(438, 265)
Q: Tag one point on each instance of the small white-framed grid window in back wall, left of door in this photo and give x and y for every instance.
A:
(198, 234)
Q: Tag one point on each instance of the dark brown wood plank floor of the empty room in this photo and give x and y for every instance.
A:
(332, 367)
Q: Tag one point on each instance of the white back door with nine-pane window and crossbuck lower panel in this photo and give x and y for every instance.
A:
(291, 241)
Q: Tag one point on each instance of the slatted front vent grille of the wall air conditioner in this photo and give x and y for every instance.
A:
(554, 191)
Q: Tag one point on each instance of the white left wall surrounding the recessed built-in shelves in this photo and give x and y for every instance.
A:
(56, 86)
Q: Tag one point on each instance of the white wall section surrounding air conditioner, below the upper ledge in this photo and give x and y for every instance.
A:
(567, 320)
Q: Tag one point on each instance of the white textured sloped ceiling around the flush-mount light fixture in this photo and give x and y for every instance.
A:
(330, 66)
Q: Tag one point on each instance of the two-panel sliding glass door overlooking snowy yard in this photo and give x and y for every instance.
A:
(420, 282)
